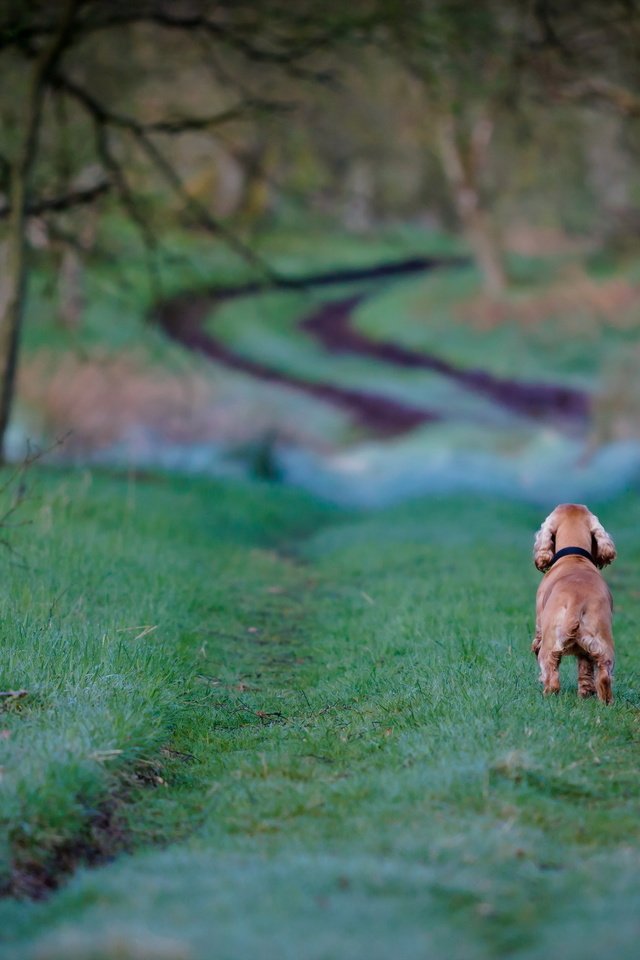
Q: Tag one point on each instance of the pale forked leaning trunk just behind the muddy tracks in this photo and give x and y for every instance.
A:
(462, 174)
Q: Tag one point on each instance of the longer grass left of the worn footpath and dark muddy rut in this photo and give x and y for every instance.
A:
(93, 630)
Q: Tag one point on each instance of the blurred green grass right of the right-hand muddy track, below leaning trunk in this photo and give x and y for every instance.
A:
(564, 343)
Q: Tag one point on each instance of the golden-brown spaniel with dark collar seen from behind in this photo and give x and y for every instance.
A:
(573, 604)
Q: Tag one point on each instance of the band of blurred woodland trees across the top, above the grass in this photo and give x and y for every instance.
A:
(501, 121)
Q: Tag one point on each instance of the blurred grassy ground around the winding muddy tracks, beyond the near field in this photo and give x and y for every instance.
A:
(569, 320)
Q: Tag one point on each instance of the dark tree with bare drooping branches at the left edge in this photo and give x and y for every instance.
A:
(54, 45)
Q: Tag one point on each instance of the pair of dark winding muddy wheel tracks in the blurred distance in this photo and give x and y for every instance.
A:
(183, 317)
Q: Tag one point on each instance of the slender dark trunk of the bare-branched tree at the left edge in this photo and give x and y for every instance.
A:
(16, 245)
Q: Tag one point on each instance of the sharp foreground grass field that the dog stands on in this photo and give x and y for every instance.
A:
(312, 733)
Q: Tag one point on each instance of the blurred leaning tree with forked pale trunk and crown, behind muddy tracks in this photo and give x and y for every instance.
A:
(462, 56)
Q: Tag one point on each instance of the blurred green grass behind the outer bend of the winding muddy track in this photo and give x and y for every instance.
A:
(118, 290)
